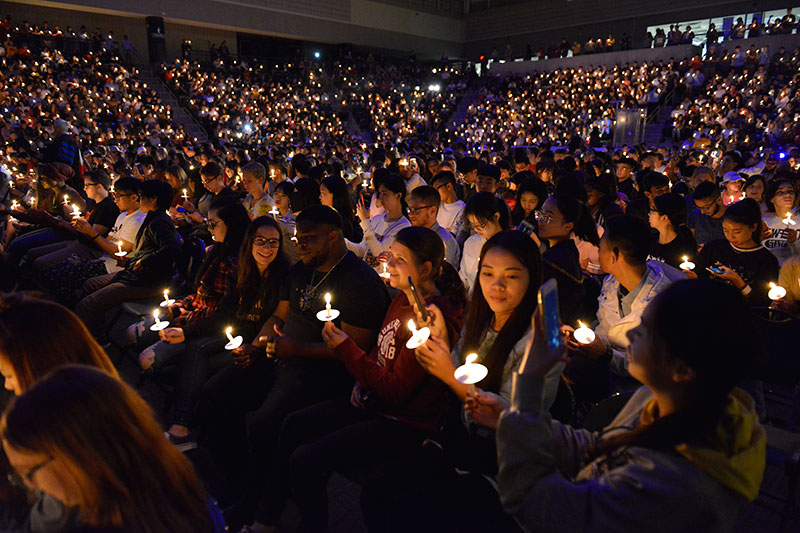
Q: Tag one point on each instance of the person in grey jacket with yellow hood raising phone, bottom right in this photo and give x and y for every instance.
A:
(687, 443)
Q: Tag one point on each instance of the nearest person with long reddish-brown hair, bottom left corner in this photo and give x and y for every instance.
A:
(135, 481)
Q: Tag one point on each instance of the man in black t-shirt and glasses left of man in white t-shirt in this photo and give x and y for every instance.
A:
(101, 218)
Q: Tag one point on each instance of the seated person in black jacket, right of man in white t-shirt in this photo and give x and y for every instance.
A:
(147, 270)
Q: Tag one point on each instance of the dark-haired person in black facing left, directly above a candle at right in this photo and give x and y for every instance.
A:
(674, 241)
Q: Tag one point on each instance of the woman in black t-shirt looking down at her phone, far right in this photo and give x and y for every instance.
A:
(740, 260)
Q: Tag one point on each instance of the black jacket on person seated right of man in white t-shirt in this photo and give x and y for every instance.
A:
(156, 249)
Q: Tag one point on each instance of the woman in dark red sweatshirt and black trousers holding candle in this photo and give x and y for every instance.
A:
(394, 405)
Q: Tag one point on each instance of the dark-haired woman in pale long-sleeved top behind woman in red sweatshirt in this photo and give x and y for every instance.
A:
(380, 230)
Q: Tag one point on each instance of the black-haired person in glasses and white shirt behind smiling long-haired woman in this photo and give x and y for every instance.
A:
(487, 215)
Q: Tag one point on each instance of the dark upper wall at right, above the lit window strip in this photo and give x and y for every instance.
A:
(525, 22)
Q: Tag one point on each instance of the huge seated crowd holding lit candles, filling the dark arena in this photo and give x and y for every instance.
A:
(311, 302)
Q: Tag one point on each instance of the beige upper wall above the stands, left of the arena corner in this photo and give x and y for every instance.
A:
(360, 22)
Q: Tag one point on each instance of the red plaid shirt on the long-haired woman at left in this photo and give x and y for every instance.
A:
(217, 281)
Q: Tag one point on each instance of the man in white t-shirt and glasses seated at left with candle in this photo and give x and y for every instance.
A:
(64, 280)
